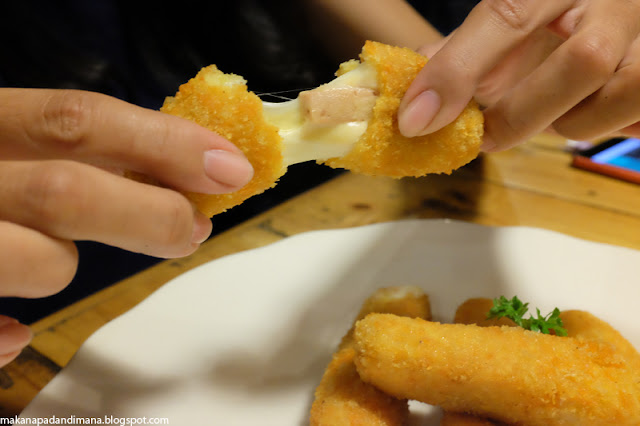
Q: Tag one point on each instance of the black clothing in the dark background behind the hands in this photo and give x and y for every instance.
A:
(141, 51)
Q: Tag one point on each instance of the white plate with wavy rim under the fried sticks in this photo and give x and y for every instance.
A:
(244, 340)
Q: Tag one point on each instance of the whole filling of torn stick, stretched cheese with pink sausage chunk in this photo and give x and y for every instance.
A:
(325, 122)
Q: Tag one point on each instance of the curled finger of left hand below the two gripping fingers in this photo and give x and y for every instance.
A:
(34, 264)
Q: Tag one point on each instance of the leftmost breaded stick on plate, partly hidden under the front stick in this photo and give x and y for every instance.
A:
(342, 398)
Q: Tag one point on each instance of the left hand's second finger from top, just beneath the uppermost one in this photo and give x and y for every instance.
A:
(75, 201)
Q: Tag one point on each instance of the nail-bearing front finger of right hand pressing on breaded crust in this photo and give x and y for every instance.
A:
(446, 85)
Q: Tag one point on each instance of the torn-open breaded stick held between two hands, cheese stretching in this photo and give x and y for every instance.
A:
(349, 123)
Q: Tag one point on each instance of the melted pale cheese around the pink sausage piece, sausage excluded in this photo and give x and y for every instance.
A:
(304, 140)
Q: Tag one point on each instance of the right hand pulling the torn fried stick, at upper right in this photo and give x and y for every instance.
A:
(569, 64)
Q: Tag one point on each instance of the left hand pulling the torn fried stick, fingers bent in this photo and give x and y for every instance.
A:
(63, 154)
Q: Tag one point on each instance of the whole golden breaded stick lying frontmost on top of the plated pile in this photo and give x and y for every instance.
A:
(503, 373)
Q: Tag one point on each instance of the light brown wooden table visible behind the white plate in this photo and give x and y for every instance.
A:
(531, 185)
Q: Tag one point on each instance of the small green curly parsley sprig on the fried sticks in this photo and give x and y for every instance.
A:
(515, 310)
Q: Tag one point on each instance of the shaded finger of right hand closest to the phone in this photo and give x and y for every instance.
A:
(612, 108)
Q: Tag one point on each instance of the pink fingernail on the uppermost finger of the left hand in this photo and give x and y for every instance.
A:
(227, 168)
